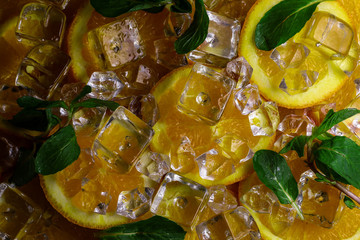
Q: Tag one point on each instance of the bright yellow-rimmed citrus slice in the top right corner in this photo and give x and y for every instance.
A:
(268, 76)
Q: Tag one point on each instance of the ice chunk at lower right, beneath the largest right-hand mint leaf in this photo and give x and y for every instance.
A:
(320, 203)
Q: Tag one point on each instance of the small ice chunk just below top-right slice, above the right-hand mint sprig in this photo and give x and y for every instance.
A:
(293, 124)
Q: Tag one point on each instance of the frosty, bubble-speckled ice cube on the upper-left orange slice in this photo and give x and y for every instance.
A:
(117, 43)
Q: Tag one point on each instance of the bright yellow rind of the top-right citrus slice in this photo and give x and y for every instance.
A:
(323, 88)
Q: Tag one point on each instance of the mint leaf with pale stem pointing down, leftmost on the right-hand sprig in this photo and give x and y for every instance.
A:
(275, 173)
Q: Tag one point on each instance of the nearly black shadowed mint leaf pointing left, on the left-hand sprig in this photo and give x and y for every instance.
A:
(31, 119)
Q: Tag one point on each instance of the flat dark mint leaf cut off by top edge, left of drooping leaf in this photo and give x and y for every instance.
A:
(114, 8)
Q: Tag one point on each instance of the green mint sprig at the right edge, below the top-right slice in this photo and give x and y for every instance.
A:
(333, 159)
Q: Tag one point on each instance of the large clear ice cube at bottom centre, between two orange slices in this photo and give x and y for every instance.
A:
(178, 199)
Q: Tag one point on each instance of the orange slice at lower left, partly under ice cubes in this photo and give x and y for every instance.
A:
(86, 192)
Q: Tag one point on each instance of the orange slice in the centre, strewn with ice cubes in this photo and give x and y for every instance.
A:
(174, 128)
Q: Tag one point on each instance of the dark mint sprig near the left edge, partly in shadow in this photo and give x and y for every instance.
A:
(54, 153)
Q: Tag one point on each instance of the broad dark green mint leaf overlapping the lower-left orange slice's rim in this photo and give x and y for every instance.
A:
(59, 151)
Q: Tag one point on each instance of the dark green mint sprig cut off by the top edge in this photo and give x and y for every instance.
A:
(192, 37)
